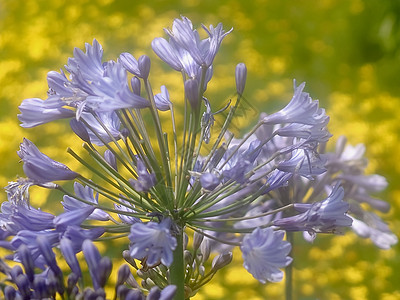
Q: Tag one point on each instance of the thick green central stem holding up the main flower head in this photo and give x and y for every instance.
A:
(177, 269)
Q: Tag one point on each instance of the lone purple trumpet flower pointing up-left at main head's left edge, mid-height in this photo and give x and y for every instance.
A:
(41, 168)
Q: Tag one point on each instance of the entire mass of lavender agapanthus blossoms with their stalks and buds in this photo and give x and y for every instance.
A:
(157, 186)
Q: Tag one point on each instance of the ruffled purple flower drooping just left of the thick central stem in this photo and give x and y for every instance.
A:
(153, 241)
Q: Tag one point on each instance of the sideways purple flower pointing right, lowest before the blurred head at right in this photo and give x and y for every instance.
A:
(327, 216)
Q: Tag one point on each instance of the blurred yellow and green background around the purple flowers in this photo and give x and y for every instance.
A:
(348, 52)
